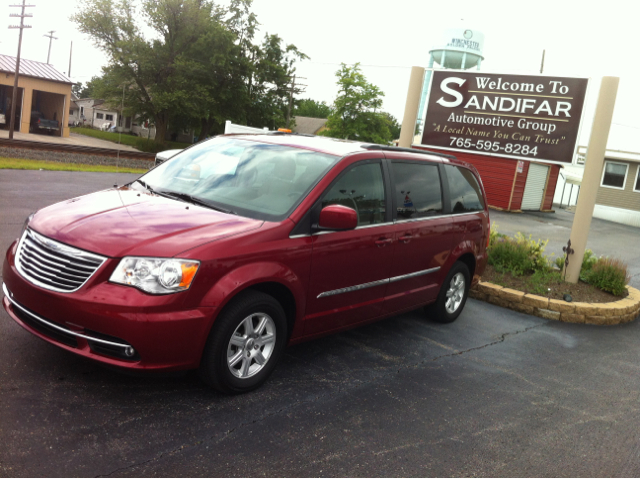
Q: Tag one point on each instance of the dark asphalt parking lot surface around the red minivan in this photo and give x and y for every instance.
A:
(497, 393)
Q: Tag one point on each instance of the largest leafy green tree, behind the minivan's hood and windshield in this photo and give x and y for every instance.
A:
(199, 69)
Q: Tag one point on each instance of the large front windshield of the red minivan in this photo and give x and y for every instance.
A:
(253, 179)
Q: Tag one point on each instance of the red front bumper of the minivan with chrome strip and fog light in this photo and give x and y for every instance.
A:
(113, 324)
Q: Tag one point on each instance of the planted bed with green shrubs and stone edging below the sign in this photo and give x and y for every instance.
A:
(520, 276)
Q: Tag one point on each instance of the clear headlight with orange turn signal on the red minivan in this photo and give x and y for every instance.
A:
(156, 275)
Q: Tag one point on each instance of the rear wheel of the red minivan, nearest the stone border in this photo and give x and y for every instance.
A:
(452, 296)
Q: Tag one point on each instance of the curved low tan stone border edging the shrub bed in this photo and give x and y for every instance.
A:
(618, 312)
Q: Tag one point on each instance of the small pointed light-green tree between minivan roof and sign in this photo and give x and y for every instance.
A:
(354, 114)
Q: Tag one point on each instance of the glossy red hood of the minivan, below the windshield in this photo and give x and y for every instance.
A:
(124, 221)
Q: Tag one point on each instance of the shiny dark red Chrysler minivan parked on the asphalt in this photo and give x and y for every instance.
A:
(223, 255)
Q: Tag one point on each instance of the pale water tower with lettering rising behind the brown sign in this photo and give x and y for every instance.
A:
(460, 49)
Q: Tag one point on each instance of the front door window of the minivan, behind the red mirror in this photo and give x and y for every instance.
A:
(360, 188)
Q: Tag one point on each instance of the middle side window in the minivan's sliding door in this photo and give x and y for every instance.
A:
(417, 190)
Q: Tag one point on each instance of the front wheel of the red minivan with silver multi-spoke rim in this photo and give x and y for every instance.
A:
(245, 343)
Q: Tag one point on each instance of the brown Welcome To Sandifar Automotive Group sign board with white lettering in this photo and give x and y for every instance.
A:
(517, 116)
